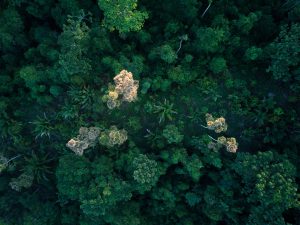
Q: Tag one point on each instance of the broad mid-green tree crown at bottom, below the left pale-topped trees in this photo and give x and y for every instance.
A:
(105, 192)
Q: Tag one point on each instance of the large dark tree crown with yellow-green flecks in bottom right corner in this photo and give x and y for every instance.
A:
(269, 184)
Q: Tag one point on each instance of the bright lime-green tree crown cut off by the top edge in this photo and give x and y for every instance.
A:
(122, 15)
